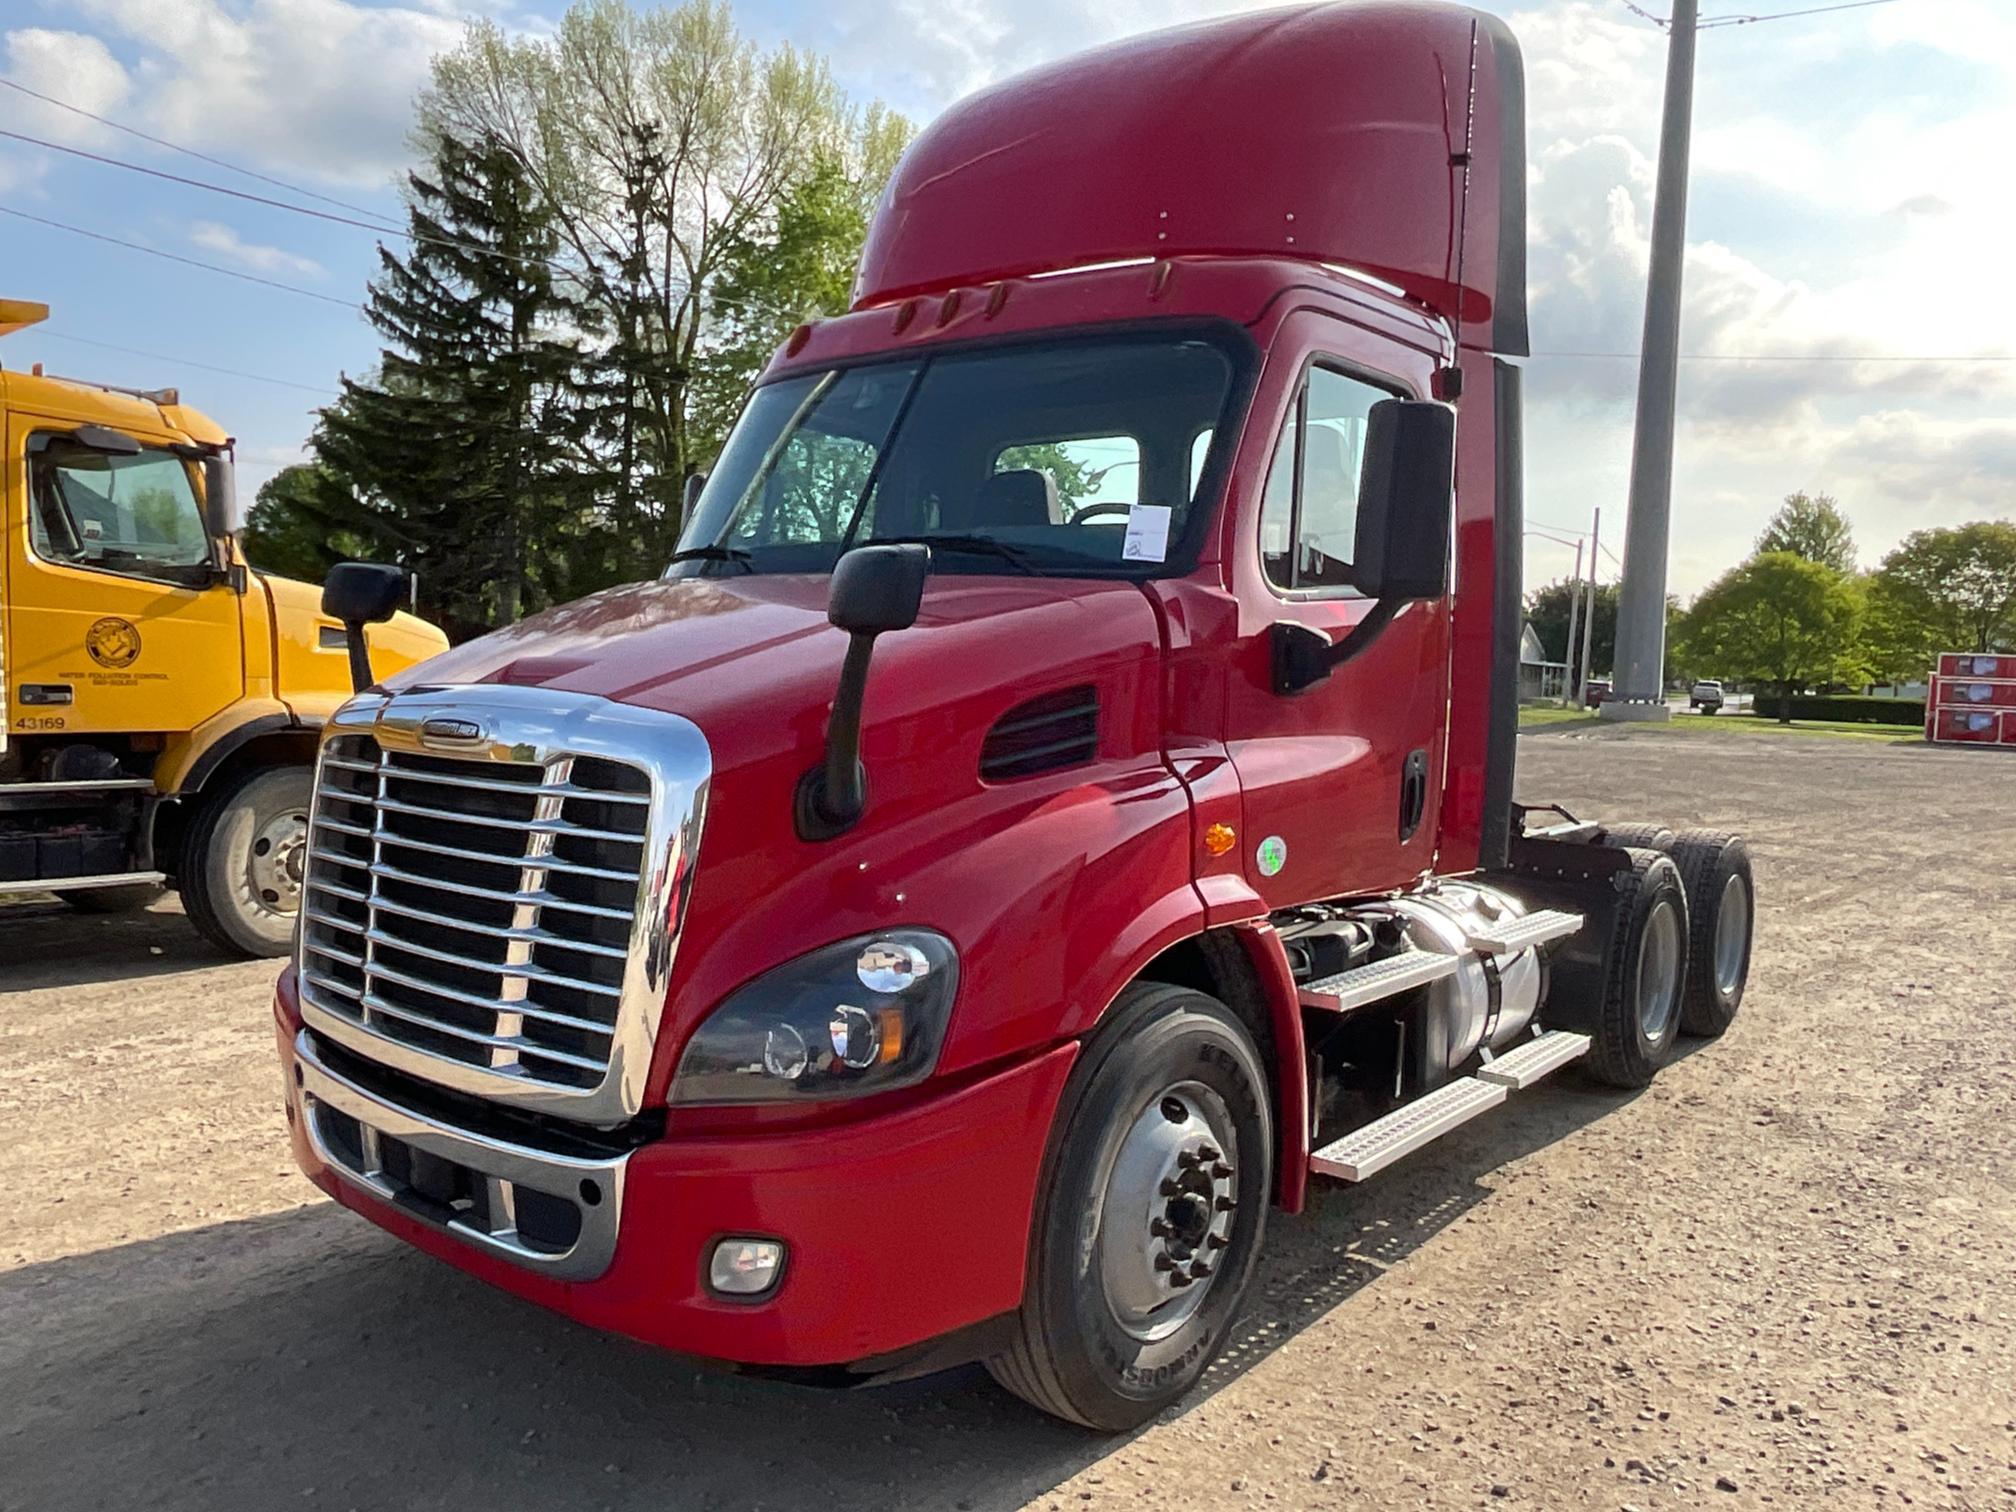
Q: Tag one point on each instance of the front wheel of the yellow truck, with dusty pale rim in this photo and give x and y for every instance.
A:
(243, 862)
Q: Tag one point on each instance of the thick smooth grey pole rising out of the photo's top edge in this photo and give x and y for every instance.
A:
(1638, 688)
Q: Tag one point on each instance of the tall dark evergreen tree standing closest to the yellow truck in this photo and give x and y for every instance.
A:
(469, 457)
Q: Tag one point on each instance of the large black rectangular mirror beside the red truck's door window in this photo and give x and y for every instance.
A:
(1406, 501)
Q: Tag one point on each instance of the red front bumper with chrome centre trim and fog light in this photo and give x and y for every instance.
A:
(902, 1229)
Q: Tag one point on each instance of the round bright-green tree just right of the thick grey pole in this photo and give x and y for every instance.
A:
(1777, 620)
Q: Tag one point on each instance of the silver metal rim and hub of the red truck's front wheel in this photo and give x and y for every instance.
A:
(1168, 1211)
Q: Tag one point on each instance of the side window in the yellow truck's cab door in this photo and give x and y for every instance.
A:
(132, 515)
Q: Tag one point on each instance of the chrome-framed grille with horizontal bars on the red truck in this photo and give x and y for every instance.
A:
(495, 918)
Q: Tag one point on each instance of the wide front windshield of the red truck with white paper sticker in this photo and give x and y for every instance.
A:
(1072, 459)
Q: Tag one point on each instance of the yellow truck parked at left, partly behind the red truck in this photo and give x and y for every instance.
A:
(162, 699)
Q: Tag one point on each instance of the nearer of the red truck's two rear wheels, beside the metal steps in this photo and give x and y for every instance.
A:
(1646, 983)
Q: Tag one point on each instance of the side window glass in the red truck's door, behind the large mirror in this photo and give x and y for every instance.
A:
(1309, 513)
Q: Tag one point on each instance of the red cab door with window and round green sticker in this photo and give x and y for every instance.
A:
(1342, 783)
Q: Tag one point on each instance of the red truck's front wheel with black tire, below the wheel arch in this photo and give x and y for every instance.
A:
(1152, 1213)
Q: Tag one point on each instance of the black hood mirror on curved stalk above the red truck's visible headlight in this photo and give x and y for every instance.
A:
(876, 590)
